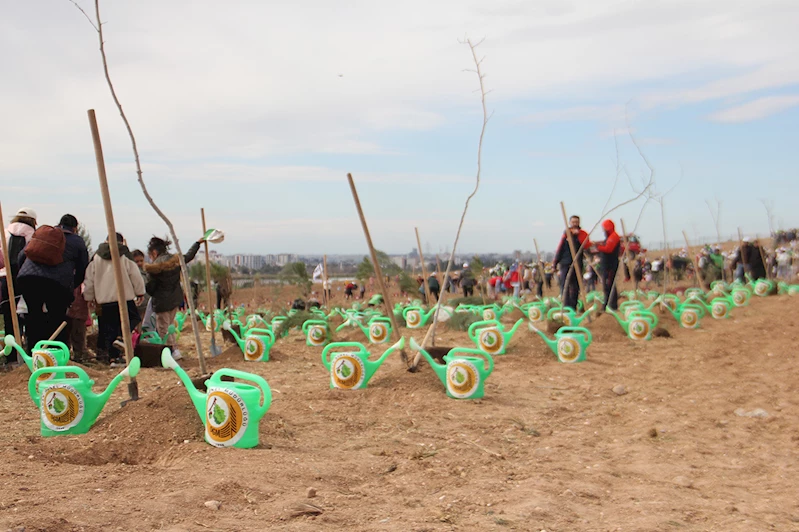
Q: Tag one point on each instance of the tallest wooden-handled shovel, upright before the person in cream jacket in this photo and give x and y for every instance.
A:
(133, 387)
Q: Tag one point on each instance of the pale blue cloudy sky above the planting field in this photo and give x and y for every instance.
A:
(257, 111)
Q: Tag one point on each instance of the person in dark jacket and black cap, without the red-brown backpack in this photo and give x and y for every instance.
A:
(48, 290)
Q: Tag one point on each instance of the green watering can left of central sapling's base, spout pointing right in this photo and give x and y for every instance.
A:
(351, 370)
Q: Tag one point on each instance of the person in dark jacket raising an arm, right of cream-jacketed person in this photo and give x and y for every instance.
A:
(163, 284)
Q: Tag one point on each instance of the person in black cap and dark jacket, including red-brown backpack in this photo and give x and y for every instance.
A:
(47, 282)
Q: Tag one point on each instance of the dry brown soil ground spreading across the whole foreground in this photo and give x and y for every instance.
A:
(550, 447)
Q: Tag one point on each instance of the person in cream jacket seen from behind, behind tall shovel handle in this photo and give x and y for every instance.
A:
(101, 291)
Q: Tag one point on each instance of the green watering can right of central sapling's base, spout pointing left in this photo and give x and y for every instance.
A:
(464, 372)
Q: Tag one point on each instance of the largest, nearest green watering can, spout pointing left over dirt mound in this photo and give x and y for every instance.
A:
(230, 411)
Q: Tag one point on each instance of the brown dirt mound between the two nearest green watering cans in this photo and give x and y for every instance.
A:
(138, 433)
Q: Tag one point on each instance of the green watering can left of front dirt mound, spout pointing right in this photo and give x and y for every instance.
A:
(68, 405)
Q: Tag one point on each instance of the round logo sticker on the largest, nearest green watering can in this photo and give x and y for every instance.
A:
(226, 417)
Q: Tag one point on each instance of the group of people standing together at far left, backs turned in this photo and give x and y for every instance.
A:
(55, 281)
